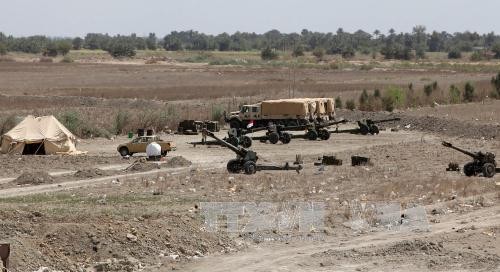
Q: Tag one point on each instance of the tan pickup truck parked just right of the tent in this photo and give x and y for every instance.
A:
(139, 144)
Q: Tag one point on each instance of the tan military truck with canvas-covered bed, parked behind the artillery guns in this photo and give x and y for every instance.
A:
(287, 112)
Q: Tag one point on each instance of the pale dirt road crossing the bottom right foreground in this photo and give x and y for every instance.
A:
(299, 256)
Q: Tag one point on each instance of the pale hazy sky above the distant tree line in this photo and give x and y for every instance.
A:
(71, 18)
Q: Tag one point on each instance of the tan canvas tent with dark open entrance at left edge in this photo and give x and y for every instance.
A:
(39, 135)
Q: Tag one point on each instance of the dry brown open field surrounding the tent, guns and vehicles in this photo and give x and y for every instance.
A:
(99, 212)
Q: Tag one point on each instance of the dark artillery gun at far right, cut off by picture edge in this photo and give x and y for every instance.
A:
(483, 162)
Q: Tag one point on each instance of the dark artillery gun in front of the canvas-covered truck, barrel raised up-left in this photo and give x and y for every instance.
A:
(246, 160)
